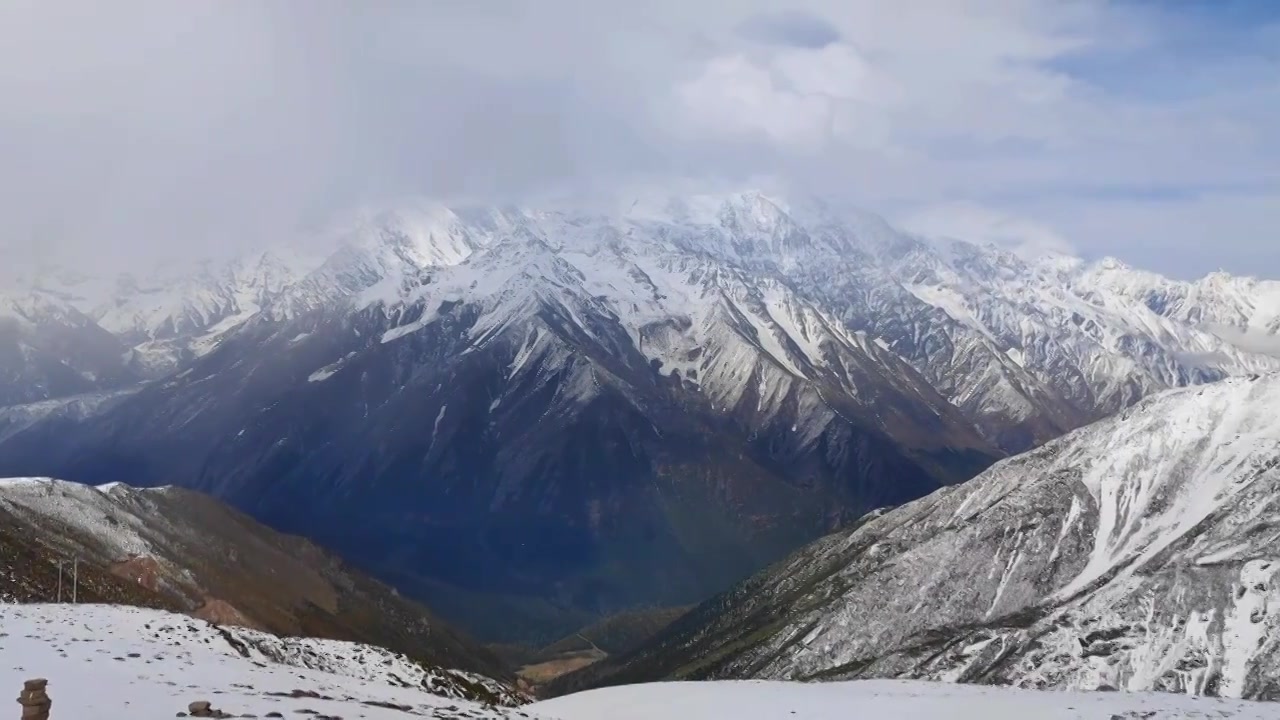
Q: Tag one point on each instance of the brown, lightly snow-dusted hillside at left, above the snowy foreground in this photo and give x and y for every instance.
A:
(184, 552)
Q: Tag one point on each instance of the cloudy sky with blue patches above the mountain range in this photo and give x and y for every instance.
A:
(1137, 129)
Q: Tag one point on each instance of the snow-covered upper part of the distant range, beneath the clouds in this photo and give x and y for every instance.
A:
(1053, 341)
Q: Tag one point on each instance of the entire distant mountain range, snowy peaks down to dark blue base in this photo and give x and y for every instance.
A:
(719, 377)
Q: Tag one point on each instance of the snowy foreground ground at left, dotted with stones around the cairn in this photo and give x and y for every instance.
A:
(117, 662)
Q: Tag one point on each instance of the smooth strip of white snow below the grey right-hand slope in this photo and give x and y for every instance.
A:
(883, 699)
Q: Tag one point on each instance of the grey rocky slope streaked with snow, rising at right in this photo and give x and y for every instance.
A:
(1140, 553)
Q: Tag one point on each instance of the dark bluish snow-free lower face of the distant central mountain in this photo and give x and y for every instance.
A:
(550, 476)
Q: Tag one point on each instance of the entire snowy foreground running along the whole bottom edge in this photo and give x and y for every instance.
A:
(113, 663)
